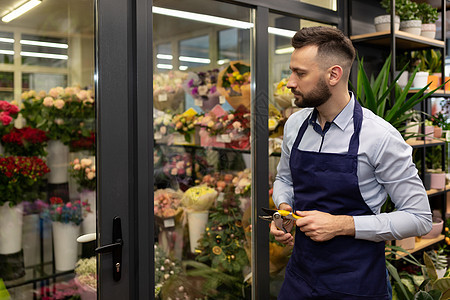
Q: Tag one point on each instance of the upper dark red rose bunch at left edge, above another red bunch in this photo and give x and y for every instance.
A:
(25, 141)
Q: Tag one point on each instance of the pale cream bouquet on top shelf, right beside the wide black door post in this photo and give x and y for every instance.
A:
(168, 90)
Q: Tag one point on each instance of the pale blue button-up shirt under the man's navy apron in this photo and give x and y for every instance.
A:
(385, 167)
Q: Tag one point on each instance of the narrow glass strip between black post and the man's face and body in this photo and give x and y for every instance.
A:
(280, 108)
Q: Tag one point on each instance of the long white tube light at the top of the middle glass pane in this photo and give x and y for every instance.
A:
(202, 18)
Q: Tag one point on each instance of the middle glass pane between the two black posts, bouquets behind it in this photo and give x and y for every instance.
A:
(202, 172)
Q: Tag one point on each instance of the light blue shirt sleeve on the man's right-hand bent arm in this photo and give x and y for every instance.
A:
(396, 172)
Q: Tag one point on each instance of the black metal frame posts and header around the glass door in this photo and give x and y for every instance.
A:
(124, 61)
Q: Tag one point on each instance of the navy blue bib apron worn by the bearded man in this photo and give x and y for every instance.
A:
(343, 267)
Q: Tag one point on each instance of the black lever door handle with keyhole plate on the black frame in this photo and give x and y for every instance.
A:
(115, 247)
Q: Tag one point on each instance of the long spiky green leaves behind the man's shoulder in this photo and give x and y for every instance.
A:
(375, 94)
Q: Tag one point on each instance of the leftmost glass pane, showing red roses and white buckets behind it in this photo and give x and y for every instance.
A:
(53, 139)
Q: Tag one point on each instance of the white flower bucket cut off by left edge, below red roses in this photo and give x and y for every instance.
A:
(11, 224)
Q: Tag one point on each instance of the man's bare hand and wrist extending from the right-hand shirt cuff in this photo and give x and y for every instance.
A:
(320, 226)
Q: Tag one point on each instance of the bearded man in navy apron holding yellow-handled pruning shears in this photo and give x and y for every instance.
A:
(338, 163)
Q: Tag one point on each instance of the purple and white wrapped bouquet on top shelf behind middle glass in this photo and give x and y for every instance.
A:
(202, 87)
